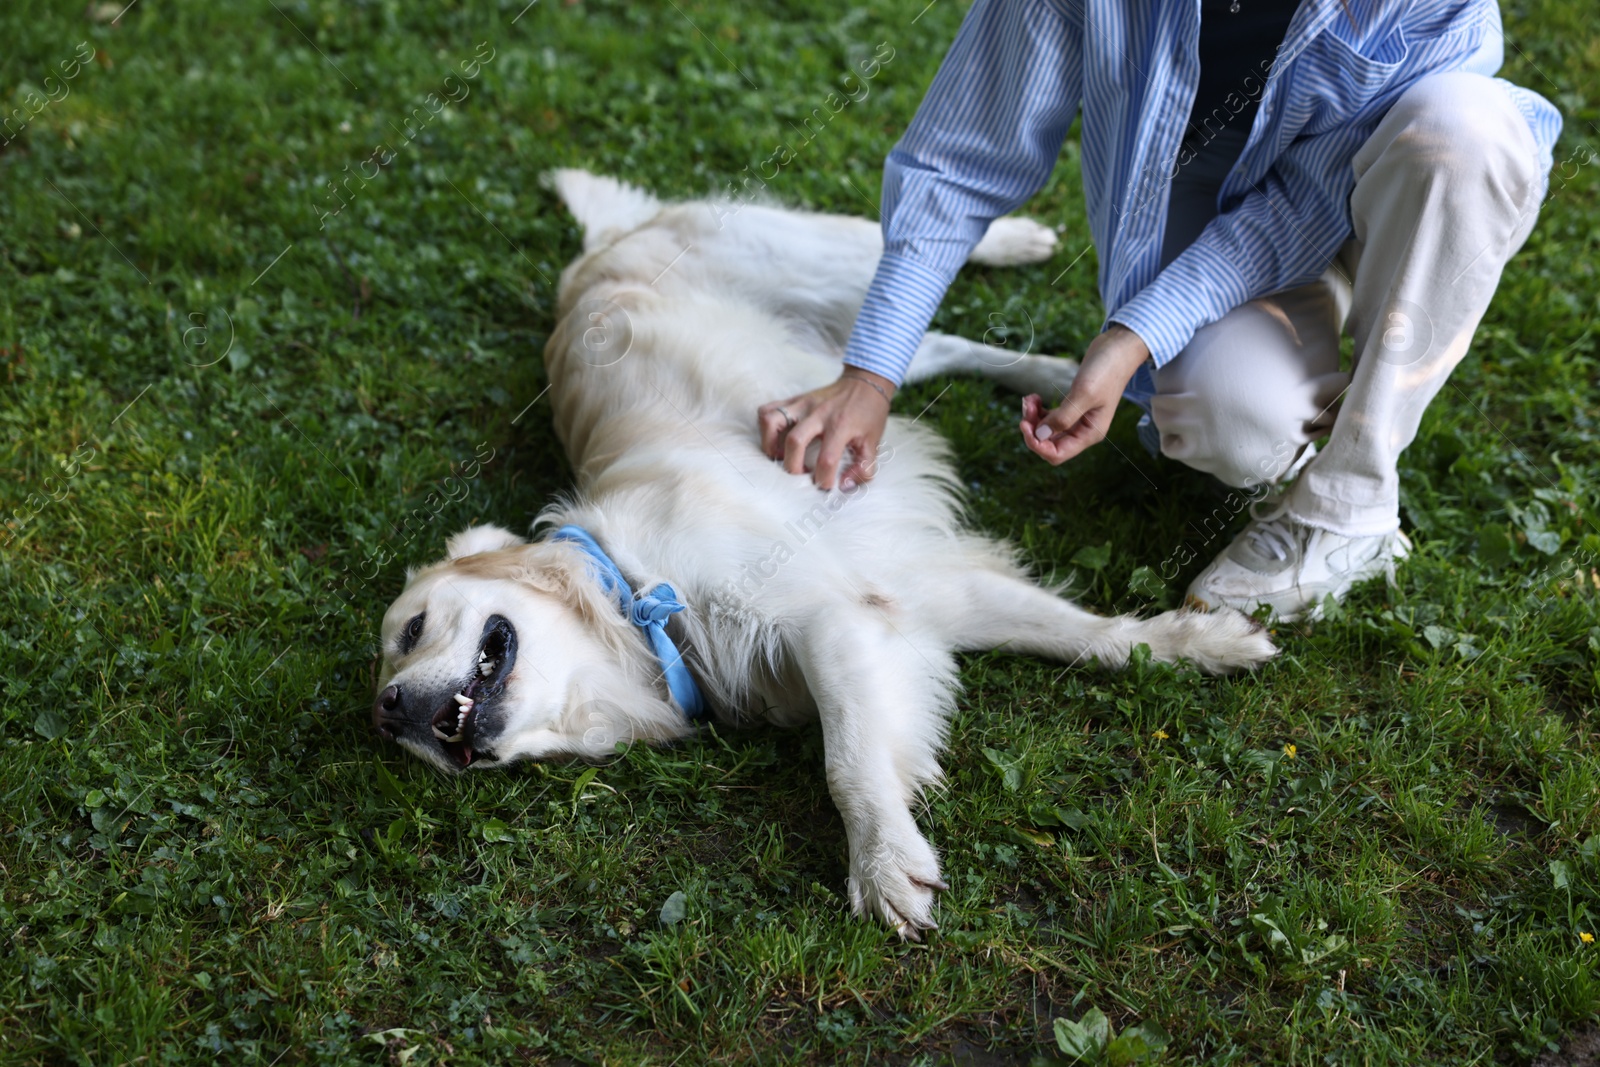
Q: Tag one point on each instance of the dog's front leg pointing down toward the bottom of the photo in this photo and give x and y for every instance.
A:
(882, 693)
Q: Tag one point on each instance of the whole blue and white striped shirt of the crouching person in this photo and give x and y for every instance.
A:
(991, 127)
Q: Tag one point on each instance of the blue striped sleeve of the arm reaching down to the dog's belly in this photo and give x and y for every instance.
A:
(983, 142)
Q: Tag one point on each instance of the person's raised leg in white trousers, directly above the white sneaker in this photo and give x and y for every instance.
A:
(1447, 190)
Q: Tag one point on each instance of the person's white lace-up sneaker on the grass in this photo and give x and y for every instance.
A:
(1290, 567)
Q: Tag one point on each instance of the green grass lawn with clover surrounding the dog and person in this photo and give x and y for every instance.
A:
(206, 853)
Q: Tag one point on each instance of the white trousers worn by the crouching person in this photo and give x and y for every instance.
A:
(1447, 191)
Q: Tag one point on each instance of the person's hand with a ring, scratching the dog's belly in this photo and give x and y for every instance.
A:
(846, 415)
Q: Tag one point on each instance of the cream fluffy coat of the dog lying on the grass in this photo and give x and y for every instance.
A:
(847, 607)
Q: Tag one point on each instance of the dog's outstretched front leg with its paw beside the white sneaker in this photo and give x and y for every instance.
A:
(1001, 612)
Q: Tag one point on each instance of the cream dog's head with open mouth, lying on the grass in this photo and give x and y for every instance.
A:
(508, 650)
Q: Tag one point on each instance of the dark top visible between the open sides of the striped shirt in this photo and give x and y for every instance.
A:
(1236, 55)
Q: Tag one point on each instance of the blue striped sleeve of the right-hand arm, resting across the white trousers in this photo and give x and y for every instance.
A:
(1290, 226)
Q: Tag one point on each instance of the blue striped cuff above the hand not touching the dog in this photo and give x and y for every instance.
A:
(1196, 289)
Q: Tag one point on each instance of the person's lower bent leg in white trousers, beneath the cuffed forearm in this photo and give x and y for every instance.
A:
(1244, 399)
